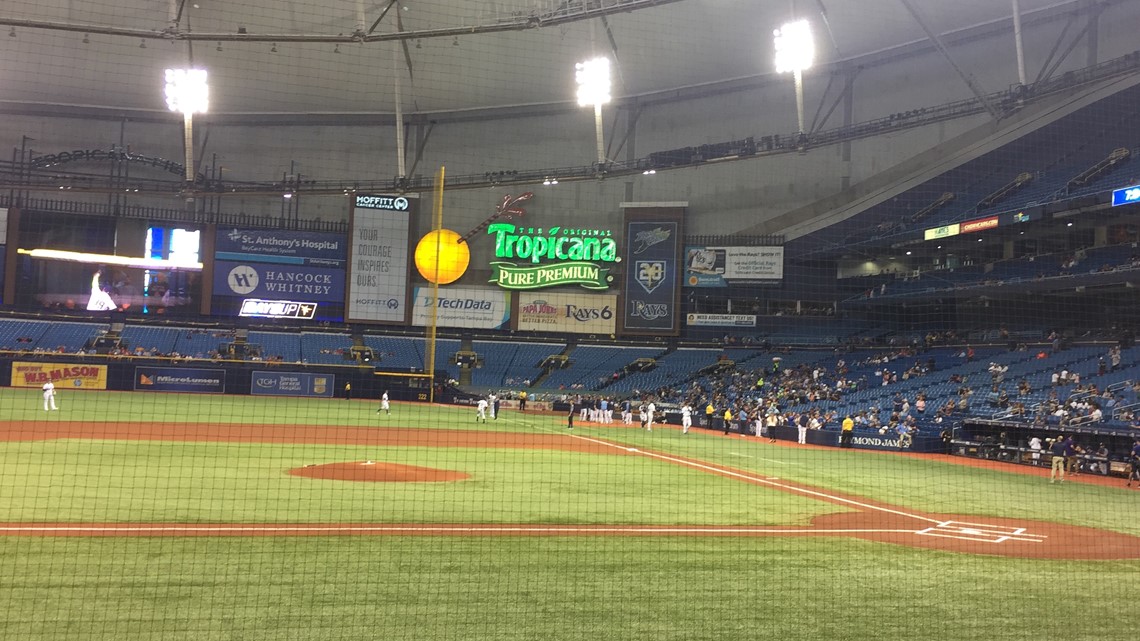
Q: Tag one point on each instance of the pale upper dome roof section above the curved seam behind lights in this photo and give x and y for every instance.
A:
(345, 56)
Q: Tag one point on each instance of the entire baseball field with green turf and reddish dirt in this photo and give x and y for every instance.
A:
(154, 516)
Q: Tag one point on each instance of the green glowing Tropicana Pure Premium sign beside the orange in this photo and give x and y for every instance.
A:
(573, 257)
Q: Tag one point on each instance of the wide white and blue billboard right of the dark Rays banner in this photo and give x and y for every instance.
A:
(719, 267)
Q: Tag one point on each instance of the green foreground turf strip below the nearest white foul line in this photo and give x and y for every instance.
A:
(564, 589)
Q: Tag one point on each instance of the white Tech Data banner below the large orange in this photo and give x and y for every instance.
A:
(476, 309)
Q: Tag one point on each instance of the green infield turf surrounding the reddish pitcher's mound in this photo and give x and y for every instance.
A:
(144, 482)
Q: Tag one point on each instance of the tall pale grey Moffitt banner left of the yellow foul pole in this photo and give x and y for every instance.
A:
(379, 262)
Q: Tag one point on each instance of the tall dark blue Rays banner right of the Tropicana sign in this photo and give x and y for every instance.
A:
(652, 271)
